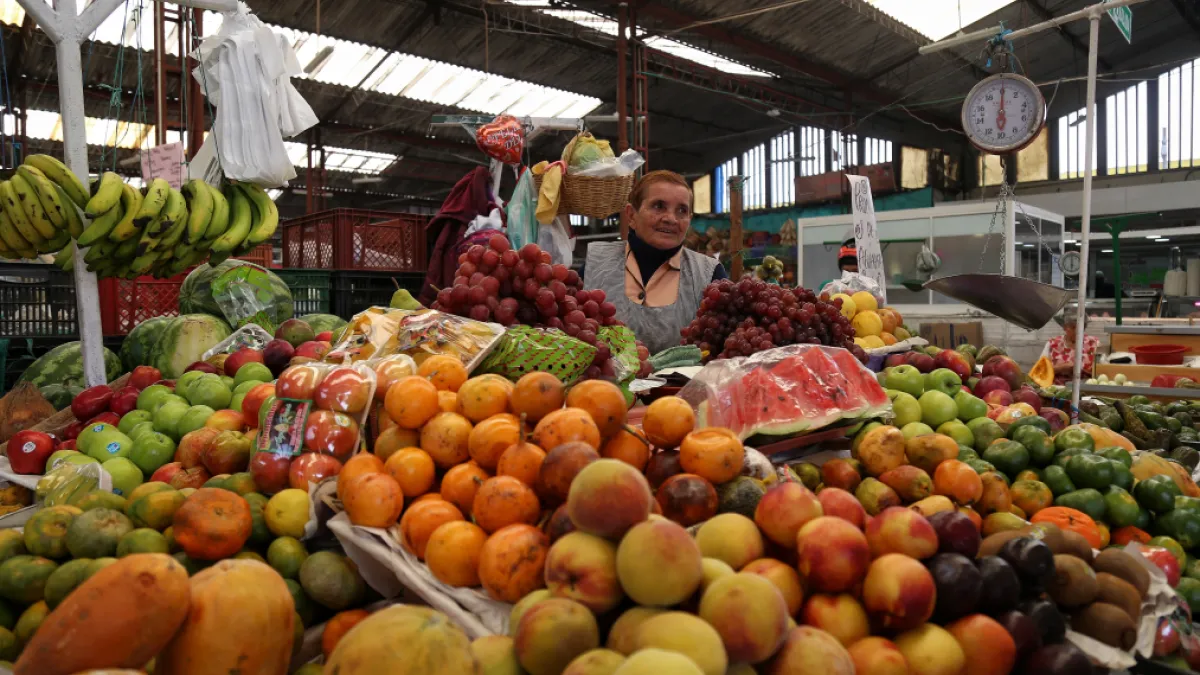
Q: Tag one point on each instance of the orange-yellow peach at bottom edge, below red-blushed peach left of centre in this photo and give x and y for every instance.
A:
(553, 634)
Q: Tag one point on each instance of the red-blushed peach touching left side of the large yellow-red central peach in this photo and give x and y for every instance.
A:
(584, 569)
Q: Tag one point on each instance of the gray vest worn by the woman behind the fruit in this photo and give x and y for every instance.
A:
(658, 328)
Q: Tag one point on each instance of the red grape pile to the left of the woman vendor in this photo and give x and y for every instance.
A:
(496, 283)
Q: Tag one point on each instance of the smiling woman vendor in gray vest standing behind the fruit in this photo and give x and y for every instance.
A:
(656, 283)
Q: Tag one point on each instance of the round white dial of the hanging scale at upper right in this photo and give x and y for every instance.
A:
(1004, 114)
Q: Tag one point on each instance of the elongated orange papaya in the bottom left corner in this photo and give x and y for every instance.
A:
(121, 618)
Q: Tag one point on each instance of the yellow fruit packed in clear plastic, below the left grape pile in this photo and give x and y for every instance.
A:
(383, 332)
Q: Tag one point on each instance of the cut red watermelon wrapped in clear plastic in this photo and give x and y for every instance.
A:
(787, 392)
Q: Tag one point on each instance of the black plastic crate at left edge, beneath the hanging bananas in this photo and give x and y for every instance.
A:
(37, 300)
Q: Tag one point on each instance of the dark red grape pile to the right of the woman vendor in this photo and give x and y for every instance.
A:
(739, 319)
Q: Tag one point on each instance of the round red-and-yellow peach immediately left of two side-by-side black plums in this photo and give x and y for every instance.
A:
(899, 593)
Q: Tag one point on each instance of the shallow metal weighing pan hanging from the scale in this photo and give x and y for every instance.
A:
(1029, 304)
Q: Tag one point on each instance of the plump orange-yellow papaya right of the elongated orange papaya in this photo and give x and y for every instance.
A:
(233, 598)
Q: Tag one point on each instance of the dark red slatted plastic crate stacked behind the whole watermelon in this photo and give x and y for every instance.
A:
(356, 240)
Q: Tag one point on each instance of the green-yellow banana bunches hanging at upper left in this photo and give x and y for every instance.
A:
(124, 232)
